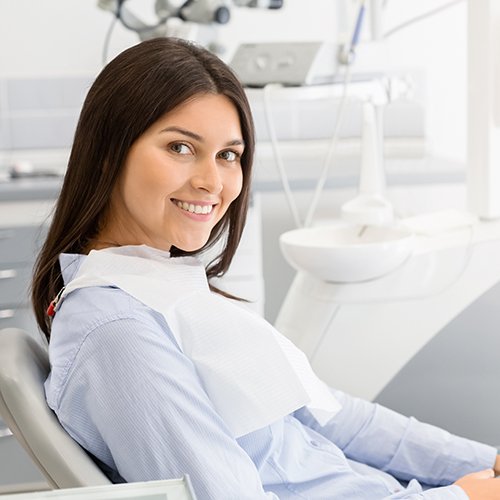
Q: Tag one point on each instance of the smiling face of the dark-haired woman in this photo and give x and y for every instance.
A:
(179, 177)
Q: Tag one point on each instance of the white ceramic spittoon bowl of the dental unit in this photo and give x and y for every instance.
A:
(346, 254)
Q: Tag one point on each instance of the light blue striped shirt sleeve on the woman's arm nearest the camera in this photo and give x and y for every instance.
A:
(135, 388)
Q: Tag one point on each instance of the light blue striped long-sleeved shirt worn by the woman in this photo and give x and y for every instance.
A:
(123, 389)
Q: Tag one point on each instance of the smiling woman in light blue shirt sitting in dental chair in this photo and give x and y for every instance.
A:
(155, 374)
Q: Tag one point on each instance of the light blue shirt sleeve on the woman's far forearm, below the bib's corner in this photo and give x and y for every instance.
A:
(404, 447)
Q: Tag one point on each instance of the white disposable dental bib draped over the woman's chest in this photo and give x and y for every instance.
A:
(252, 374)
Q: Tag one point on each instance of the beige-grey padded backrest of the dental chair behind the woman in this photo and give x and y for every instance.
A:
(24, 366)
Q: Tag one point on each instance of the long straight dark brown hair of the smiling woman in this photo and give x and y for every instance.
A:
(131, 93)
